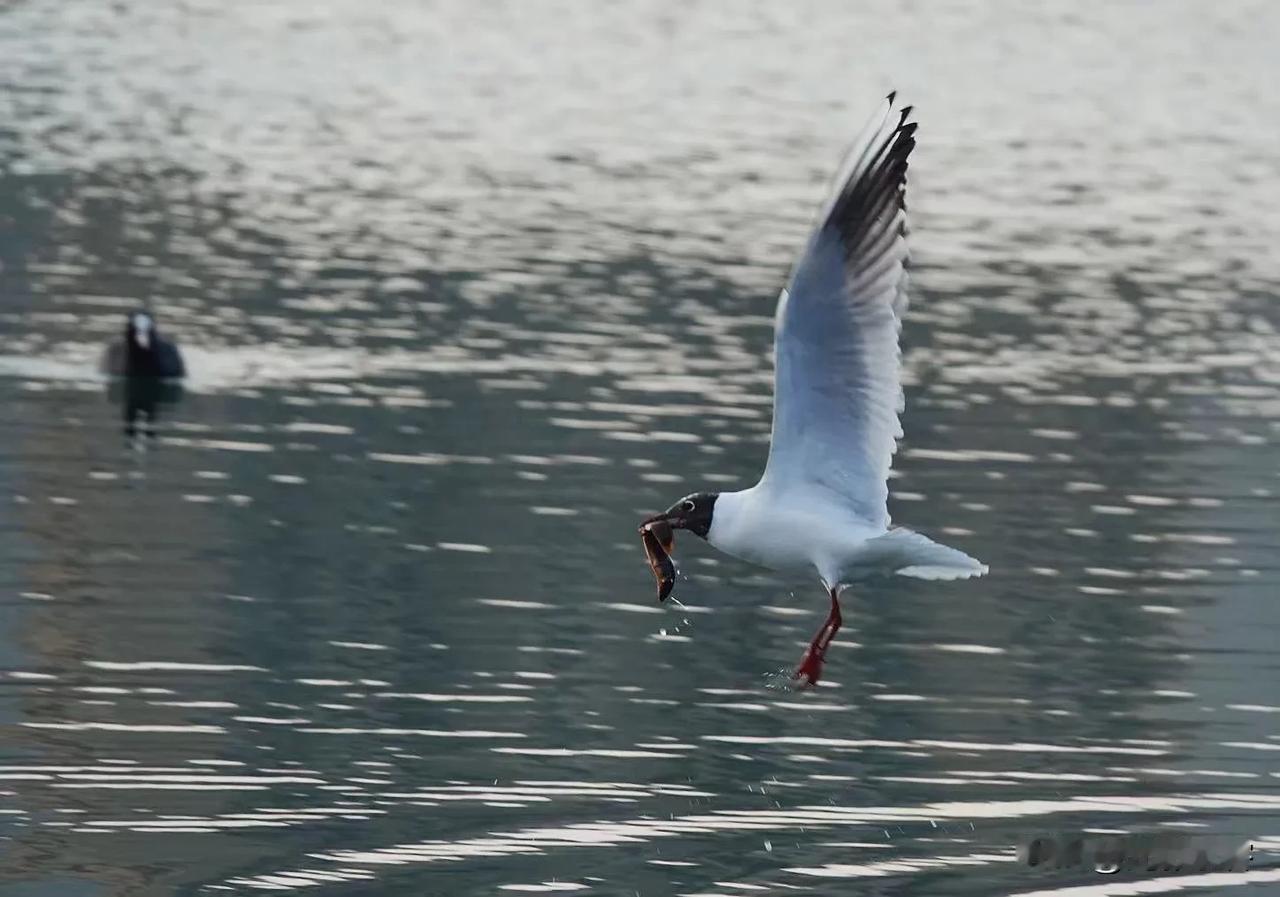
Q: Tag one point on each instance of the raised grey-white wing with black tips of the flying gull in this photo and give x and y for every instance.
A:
(838, 388)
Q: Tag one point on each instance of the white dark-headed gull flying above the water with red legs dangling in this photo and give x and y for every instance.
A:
(821, 506)
